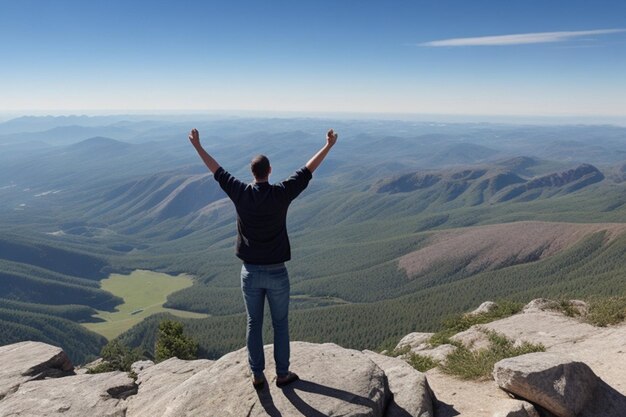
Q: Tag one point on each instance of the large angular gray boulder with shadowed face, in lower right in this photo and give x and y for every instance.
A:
(552, 381)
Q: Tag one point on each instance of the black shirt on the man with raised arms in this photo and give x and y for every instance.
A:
(262, 215)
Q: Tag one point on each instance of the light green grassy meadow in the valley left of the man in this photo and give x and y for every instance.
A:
(144, 293)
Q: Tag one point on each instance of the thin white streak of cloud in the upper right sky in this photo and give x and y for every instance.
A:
(520, 39)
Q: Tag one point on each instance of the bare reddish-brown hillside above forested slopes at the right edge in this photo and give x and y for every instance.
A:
(495, 246)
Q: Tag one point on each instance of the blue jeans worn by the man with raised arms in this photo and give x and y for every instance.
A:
(257, 283)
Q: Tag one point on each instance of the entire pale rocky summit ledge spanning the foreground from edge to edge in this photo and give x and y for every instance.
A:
(335, 381)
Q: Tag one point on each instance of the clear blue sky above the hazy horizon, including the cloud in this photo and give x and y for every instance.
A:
(315, 56)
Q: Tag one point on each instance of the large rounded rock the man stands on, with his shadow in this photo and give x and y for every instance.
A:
(334, 381)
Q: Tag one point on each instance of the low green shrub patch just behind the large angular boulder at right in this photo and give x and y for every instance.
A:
(467, 364)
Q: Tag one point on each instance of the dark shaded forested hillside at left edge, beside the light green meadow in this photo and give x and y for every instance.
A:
(46, 290)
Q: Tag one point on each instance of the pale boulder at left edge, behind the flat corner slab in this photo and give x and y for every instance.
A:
(27, 361)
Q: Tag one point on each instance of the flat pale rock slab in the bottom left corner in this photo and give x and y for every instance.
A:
(99, 395)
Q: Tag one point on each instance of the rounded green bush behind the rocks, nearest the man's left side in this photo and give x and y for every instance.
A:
(171, 342)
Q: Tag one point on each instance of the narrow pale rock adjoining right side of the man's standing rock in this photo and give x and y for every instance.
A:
(412, 395)
